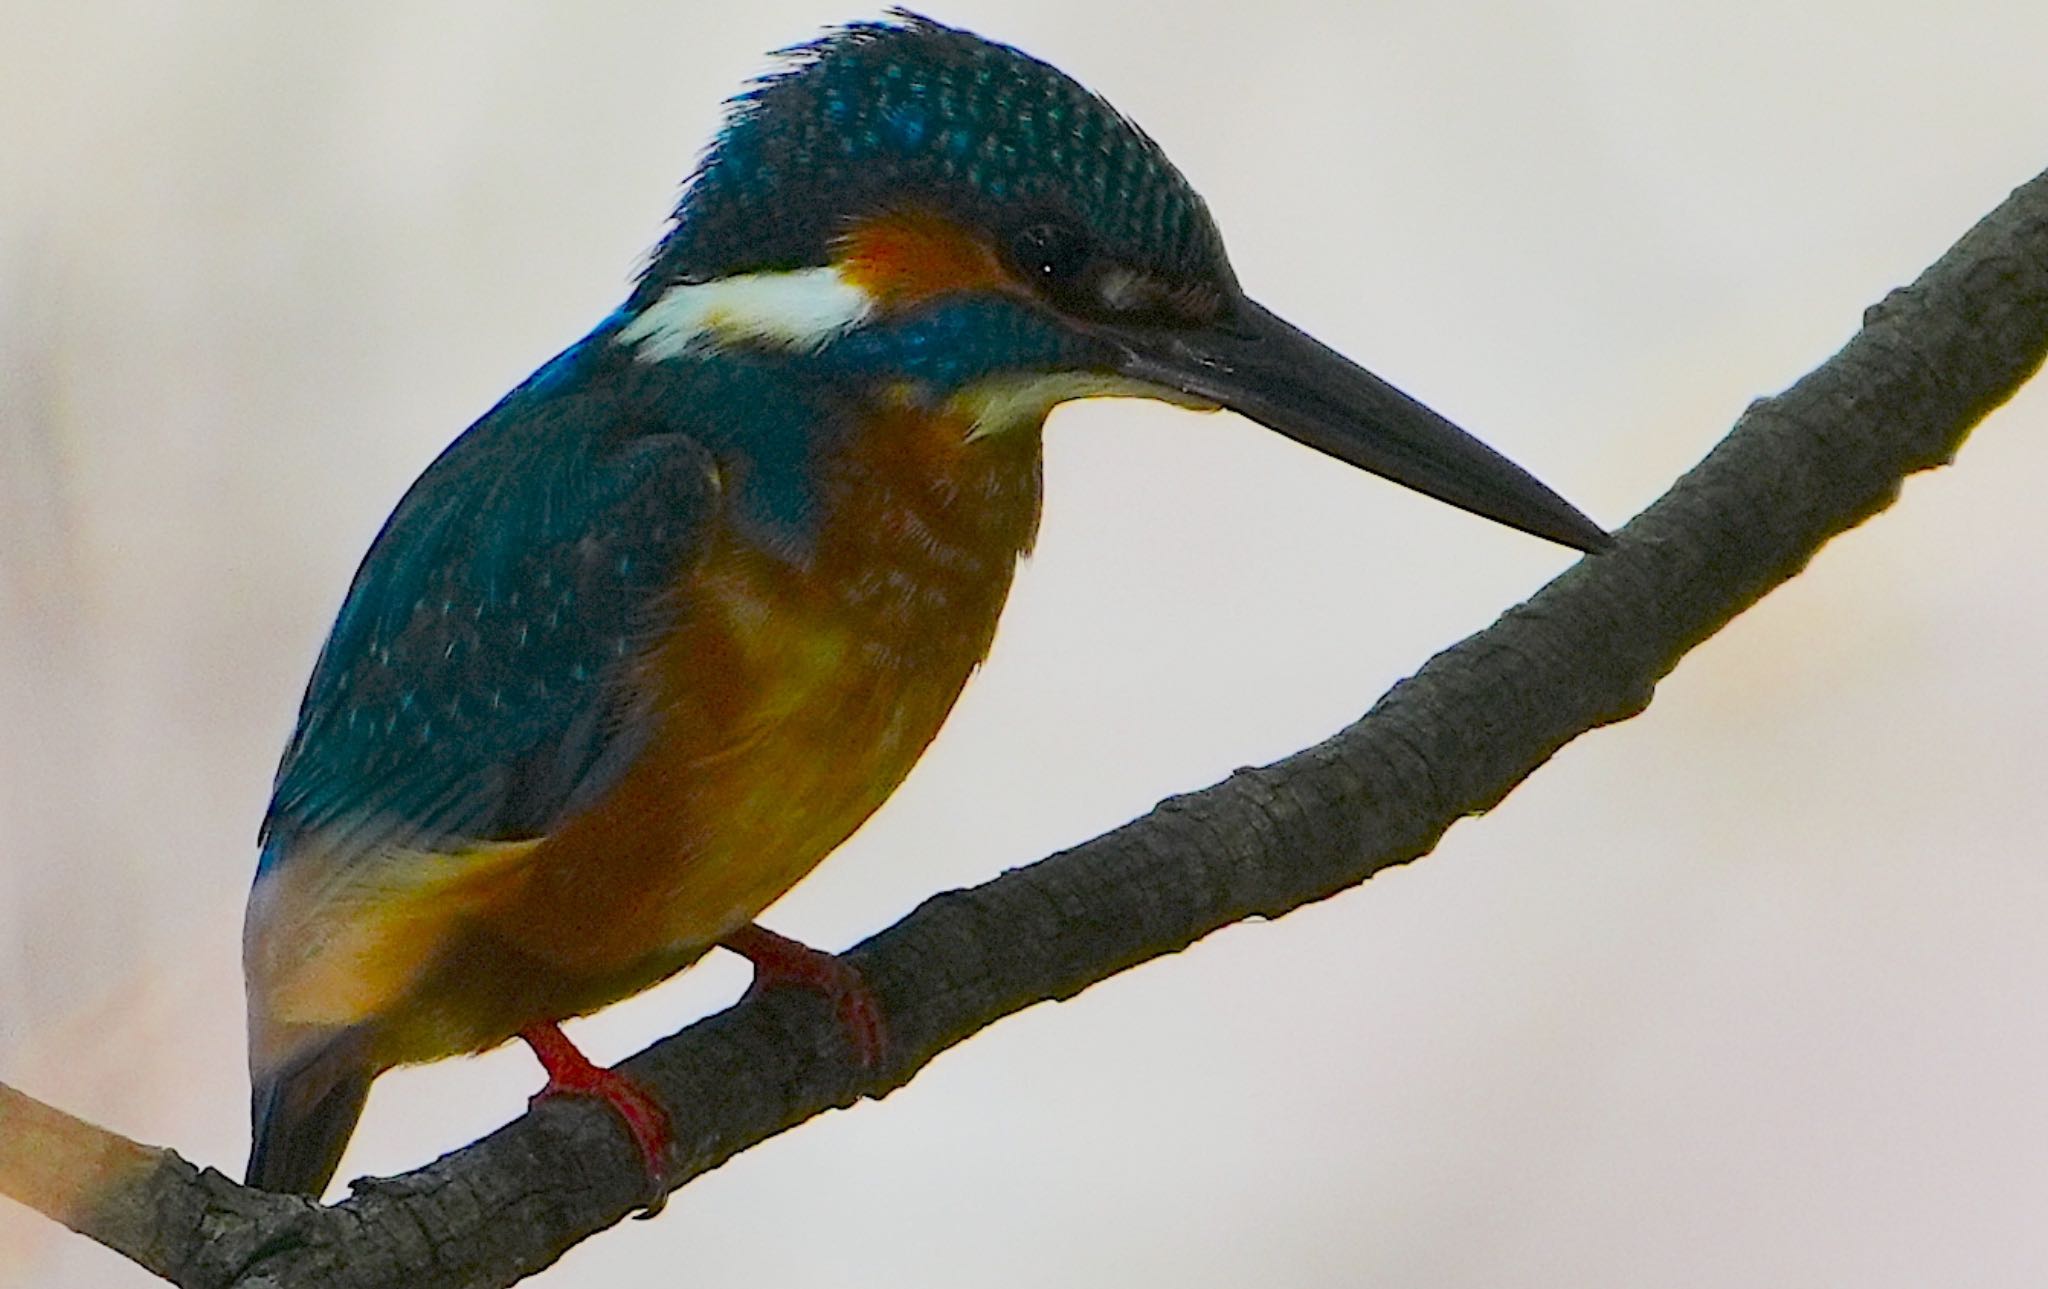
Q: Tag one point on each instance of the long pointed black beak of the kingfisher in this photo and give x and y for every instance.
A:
(1287, 380)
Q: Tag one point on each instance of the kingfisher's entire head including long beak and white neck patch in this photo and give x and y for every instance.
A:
(966, 226)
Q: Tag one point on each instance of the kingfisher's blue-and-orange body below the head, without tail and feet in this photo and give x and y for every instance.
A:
(691, 661)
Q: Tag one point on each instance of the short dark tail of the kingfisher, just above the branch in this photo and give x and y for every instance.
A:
(302, 1116)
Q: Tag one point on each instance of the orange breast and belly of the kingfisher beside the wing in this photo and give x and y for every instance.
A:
(796, 700)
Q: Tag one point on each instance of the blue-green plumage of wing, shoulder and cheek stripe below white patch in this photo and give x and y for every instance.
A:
(472, 688)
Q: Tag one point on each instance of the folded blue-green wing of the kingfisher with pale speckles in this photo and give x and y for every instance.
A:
(478, 683)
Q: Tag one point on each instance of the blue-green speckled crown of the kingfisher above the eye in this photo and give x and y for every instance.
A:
(880, 110)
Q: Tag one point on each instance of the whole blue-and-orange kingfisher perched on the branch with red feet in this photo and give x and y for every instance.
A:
(671, 620)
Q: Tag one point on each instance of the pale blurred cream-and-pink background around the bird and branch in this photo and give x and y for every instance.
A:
(1742, 993)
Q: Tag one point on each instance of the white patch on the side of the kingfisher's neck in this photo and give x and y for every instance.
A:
(804, 308)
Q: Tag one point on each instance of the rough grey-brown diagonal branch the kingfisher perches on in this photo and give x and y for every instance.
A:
(1588, 651)
